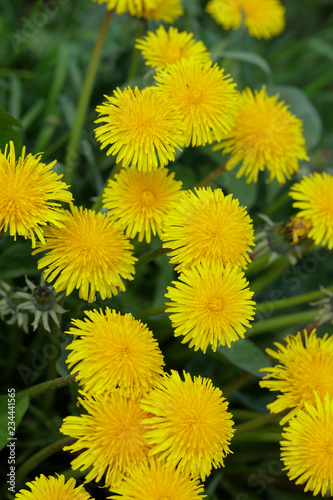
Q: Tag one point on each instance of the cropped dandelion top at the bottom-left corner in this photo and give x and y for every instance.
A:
(55, 488)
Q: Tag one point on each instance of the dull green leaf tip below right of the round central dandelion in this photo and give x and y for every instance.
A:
(246, 355)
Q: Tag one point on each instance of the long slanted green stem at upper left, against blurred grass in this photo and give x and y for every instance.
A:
(84, 99)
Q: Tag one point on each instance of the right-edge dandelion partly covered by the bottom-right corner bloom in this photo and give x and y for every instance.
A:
(303, 367)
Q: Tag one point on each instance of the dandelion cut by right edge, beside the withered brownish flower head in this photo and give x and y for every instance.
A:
(313, 197)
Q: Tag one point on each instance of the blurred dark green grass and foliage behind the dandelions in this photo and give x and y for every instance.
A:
(45, 50)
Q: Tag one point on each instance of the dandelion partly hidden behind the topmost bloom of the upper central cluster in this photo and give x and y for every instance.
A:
(167, 47)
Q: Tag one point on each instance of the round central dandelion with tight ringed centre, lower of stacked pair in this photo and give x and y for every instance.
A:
(211, 305)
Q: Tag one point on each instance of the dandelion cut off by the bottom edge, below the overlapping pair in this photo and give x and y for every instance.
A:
(153, 480)
